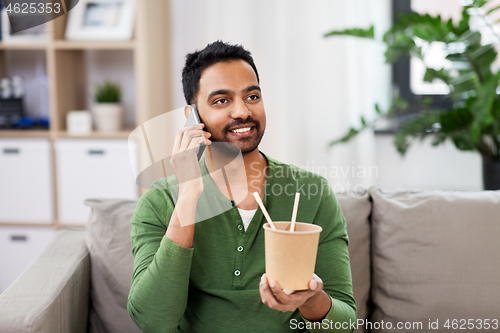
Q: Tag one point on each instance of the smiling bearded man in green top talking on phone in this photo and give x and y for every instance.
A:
(209, 276)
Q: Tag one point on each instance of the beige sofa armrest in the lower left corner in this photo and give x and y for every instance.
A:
(52, 294)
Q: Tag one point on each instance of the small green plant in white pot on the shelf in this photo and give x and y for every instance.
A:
(108, 112)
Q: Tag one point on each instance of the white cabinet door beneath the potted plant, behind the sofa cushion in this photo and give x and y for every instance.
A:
(92, 169)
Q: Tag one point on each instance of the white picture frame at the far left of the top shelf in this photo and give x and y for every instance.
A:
(37, 34)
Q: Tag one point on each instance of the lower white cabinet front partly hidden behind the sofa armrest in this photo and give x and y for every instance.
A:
(19, 246)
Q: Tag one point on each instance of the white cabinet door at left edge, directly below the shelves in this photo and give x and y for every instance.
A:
(26, 185)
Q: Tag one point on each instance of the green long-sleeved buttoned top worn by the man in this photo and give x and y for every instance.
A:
(214, 286)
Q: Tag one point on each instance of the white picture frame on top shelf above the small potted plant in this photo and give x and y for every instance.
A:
(101, 20)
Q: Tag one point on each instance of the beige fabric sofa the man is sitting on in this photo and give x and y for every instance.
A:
(428, 261)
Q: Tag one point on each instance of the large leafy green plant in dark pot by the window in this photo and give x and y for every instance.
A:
(473, 120)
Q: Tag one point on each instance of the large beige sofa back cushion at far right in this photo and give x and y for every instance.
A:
(435, 257)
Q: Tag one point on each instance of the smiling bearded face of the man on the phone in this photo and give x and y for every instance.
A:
(230, 104)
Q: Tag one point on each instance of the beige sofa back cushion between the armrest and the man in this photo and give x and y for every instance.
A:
(111, 264)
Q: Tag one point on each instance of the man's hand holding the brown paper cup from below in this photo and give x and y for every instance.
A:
(313, 303)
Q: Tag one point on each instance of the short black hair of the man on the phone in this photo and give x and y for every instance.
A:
(213, 53)
